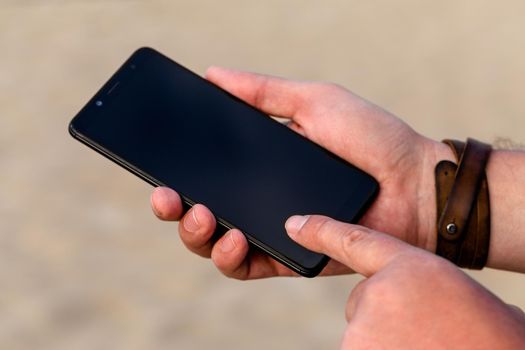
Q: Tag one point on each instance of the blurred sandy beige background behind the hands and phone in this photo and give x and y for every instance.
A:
(83, 262)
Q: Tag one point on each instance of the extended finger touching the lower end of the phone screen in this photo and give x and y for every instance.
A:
(363, 250)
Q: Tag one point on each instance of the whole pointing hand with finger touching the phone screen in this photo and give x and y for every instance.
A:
(411, 299)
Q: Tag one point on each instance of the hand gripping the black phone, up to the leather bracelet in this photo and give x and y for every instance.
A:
(314, 108)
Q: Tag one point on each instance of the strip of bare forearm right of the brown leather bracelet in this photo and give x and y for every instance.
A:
(506, 180)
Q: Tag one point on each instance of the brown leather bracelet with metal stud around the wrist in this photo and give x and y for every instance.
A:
(463, 205)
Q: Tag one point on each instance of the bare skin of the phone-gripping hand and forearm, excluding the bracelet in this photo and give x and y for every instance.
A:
(374, 140)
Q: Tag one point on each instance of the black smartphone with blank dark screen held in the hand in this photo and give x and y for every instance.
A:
(173, 128)
